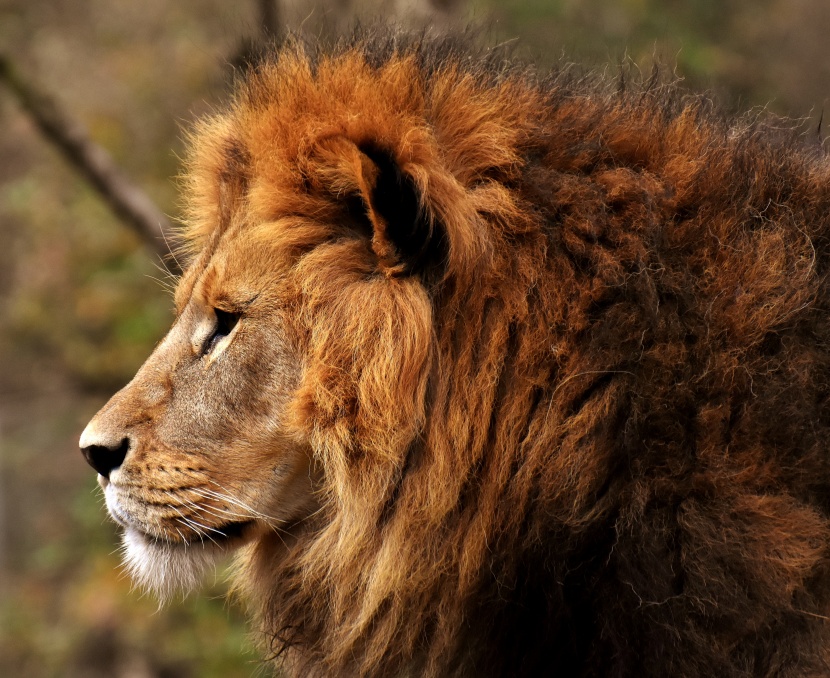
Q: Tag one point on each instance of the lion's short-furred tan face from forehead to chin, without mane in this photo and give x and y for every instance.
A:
(193, 455)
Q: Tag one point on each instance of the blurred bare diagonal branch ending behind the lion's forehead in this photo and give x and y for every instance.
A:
(127, 200)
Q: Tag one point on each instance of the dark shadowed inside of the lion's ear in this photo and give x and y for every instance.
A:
(404, 236)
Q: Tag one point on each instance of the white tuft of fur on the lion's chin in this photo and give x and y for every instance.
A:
(166, 569)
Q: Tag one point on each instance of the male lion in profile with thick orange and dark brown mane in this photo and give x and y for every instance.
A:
(480, 371)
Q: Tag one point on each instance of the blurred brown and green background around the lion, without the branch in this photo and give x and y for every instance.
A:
(83, 298)
